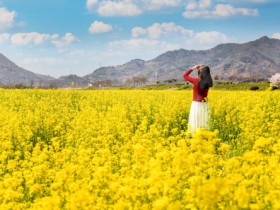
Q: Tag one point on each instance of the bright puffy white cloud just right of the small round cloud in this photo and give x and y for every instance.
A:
(157, 30)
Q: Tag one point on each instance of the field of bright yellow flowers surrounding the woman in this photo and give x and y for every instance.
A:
(130, 149)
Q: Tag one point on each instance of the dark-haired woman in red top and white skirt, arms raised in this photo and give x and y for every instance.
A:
(199, 112)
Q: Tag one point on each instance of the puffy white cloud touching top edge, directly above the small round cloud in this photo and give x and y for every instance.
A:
(118, 8)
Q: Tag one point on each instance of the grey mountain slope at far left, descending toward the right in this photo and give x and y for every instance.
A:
(11, 74)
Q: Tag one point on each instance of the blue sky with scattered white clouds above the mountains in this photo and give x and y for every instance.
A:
(61, 37)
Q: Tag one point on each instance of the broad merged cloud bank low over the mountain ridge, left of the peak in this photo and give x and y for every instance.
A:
(159, 38)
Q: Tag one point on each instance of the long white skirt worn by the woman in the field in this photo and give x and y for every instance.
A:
(199, 116)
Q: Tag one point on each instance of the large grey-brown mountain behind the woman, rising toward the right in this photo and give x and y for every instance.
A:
(255, 60)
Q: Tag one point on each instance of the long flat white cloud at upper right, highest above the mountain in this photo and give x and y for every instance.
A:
(220, 10)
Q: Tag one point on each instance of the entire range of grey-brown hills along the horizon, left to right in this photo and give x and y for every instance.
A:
(251, 61)
